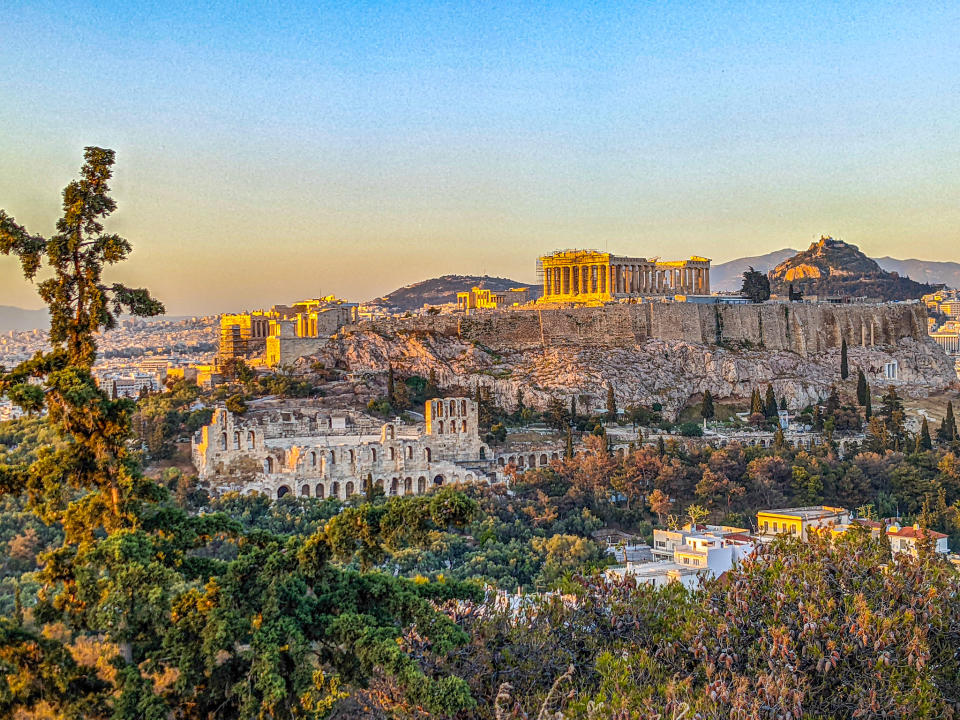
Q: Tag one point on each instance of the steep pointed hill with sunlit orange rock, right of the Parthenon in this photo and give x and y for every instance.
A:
(833, 267)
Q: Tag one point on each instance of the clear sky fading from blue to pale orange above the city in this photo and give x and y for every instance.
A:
(272, 151)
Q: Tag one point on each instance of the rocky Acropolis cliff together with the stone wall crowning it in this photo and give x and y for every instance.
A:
(652, 351)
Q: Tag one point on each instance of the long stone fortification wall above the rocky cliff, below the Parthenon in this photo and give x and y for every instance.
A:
(798, 327)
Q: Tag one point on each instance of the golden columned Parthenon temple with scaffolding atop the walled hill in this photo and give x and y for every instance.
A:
(590, 275)
